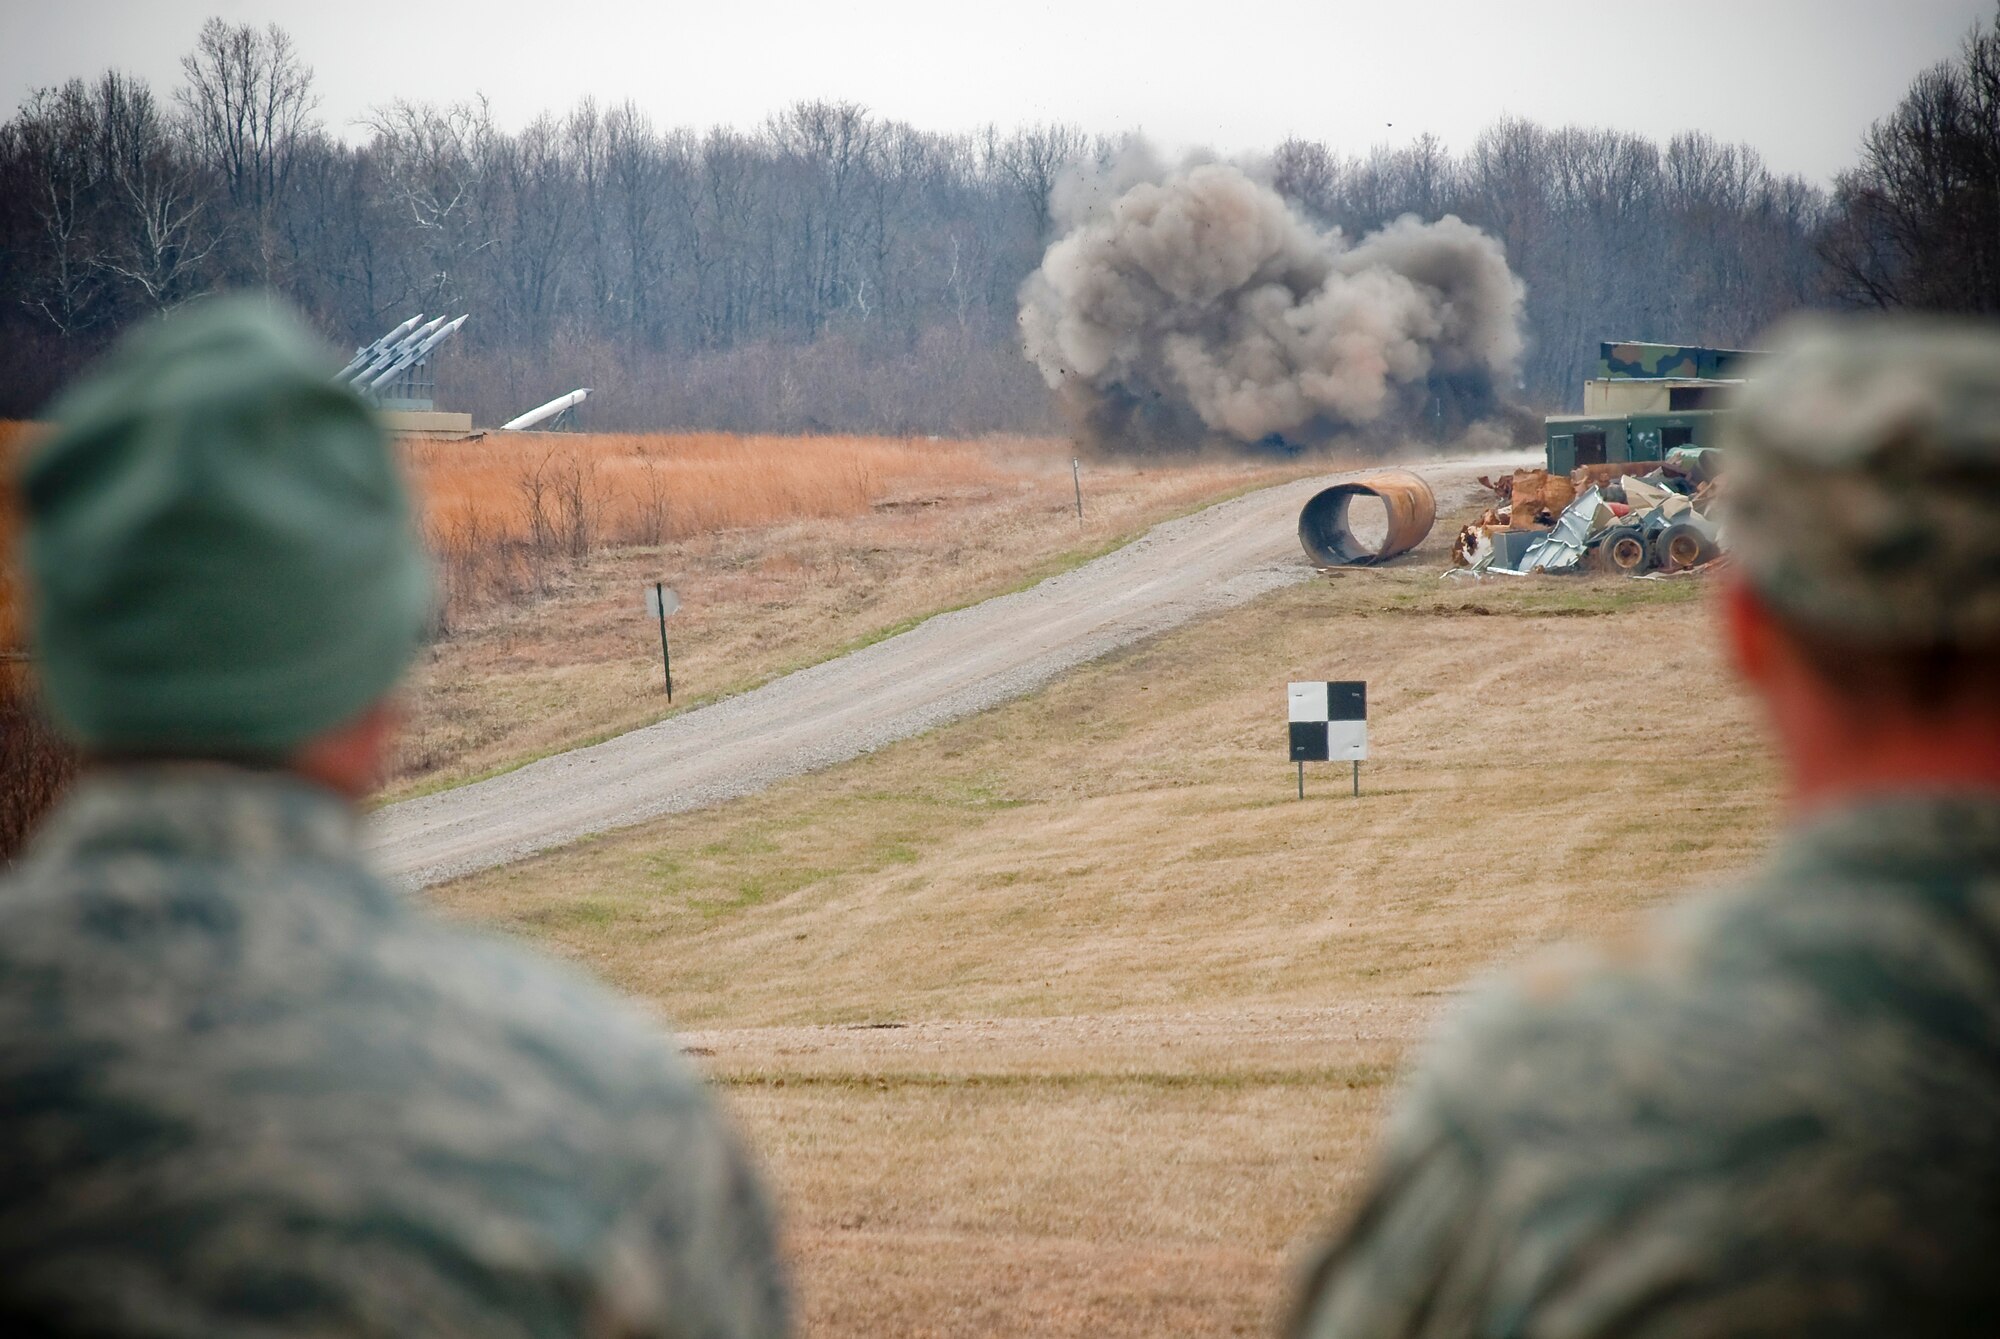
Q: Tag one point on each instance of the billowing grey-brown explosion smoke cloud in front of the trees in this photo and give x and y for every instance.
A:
(1195, 303)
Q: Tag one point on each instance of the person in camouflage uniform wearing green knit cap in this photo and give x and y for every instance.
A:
(245, 1086)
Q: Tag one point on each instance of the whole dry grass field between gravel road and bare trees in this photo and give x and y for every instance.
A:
(785, 551)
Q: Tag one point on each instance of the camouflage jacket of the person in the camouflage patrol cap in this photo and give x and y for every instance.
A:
(1675, 1138)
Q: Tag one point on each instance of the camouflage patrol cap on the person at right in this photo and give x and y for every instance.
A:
(1865, 479)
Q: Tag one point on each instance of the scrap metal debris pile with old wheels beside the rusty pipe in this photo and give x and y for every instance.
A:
(1635, 519)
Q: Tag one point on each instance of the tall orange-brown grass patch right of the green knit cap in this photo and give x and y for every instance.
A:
(507, 513)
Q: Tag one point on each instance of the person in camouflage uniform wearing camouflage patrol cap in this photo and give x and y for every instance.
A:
(1777, 1112)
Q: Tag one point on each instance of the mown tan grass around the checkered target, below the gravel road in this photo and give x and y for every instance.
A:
(1073, 1020)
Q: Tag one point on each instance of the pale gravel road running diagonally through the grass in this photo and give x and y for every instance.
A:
(945, 669)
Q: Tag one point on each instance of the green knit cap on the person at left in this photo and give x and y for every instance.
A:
(221, 545)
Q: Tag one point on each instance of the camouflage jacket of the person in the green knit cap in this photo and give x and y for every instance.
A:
(247, 1090)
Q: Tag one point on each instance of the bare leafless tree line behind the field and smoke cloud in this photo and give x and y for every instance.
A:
(835, 269)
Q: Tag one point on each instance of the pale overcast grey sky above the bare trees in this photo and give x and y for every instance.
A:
(1797, 79)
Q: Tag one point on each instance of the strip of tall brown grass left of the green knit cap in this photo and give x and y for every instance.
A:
(35, 762)
